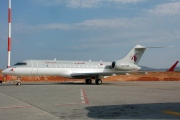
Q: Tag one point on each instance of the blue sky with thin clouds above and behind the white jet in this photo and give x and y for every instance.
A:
(91, 29)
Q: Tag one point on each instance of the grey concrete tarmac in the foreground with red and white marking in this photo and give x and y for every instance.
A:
(111, 100)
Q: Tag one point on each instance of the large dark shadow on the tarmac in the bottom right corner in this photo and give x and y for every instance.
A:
(135, 111)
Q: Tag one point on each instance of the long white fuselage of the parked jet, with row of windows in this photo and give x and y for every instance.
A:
(63, 68)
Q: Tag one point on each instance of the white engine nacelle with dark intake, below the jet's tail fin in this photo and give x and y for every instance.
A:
(116, 65)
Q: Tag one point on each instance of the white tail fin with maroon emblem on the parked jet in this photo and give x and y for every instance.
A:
(134, 55)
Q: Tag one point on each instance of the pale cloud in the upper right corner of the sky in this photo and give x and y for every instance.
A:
(166, 9)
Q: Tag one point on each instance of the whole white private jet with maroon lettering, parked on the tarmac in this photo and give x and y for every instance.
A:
(78, 69)
